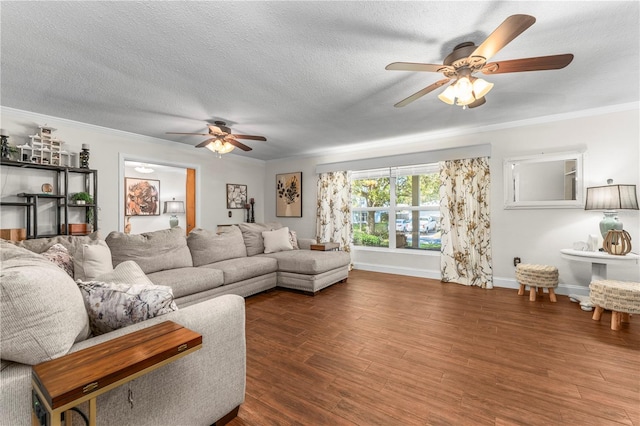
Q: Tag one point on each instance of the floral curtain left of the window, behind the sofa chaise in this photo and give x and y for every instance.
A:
(333, 223)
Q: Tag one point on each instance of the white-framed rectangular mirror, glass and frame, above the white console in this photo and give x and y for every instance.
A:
(544, 181)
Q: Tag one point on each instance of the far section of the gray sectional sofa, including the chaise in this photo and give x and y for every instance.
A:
(232, 260)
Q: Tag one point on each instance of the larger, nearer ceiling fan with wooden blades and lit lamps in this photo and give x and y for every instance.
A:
(467, 59)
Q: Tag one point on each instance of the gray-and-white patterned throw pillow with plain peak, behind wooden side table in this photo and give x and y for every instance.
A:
(123, 297)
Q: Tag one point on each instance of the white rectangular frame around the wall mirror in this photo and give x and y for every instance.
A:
(509, 203)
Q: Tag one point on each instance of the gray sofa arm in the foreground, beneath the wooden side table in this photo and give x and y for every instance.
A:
(198, 389)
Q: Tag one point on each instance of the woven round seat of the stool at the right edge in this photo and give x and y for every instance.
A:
(619, 296)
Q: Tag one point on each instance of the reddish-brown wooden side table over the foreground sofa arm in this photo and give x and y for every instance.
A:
(65, 382)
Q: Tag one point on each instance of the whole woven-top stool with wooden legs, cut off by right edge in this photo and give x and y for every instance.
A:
(620, 297)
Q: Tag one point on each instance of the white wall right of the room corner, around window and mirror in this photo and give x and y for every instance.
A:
(610, 140)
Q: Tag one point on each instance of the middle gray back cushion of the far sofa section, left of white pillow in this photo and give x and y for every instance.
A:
(209, 247)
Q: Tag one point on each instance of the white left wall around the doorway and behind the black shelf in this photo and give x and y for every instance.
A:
(107, 145)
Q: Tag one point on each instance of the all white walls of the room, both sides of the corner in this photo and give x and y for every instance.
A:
(610, 140)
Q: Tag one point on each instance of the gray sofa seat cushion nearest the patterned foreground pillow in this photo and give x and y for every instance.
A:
(186, 281)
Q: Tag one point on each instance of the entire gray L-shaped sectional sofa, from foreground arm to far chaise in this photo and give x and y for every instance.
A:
(44, 315)
